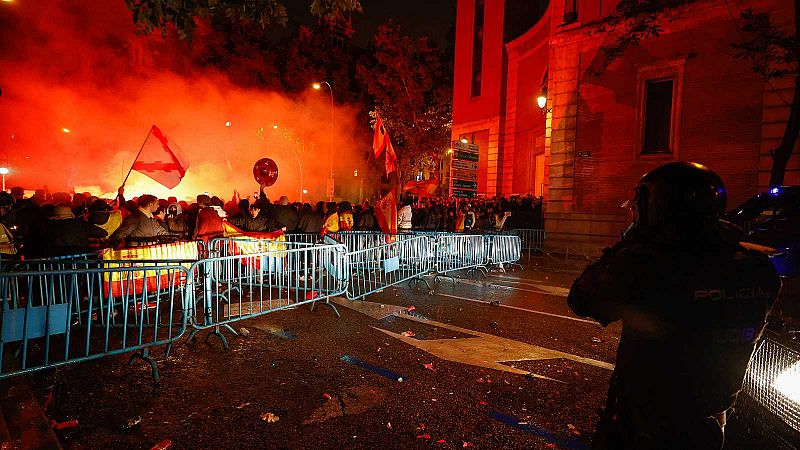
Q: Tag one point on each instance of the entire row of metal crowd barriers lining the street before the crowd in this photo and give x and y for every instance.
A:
(64, 310)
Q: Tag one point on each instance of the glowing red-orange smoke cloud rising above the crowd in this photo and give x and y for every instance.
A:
(79, 66)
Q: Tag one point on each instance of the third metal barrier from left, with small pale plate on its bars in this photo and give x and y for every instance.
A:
(374, 269)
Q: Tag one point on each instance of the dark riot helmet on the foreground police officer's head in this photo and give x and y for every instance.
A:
(679, 193)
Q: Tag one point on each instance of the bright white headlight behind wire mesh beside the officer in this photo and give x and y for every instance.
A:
(773, 380)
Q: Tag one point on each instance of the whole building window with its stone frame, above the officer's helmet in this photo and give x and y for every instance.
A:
(658, 124)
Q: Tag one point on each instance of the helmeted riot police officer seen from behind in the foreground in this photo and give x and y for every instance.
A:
(692, 302)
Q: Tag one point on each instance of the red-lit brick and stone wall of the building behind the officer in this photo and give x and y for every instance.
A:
(725, 116)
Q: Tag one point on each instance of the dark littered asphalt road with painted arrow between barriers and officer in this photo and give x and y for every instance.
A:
(526, 373)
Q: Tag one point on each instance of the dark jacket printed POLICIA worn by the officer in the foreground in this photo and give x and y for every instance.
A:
(692, 308)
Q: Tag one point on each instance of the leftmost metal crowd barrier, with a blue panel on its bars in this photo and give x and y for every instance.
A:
(52, 318)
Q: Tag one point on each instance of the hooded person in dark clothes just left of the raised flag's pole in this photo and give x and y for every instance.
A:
(66, 234)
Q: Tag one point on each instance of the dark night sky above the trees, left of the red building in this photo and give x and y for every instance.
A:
(431, 18)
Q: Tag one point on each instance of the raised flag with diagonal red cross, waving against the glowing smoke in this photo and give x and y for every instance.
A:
(161, 159)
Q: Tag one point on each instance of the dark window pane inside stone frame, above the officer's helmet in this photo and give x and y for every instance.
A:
(657, 116)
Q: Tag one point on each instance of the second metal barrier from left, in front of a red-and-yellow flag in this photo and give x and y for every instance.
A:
(250, 277)
